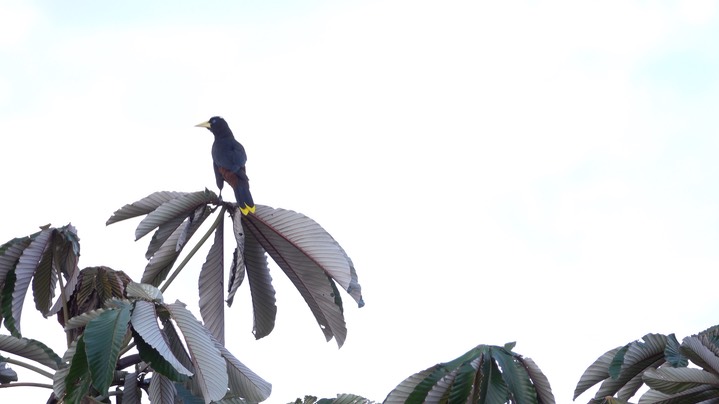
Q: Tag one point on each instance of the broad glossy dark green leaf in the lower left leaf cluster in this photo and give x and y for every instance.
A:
(103, 339)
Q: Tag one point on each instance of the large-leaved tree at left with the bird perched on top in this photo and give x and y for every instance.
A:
(107, 316)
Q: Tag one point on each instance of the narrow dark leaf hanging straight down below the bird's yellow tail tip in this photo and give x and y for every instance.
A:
(264, 307)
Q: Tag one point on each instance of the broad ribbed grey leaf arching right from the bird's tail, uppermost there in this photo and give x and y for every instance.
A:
(309, 242)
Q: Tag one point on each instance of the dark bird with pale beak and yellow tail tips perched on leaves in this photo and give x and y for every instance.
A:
(228, 161)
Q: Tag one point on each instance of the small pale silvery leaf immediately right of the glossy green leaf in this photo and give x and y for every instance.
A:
(144, 322)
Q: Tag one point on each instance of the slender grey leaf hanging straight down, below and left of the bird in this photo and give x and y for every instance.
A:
(211, 288)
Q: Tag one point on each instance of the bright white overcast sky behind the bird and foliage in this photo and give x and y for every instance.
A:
(539, 172)
